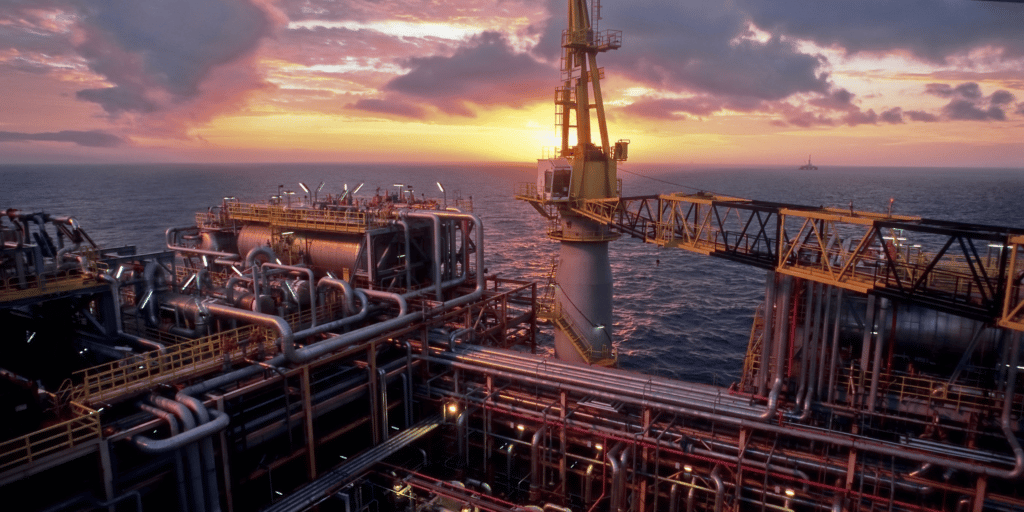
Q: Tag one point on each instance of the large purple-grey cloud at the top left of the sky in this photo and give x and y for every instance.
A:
(164, 49)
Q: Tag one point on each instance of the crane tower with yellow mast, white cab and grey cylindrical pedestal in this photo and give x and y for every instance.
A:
(580, 300)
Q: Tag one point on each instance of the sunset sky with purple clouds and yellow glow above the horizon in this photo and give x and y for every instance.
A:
(704, 82)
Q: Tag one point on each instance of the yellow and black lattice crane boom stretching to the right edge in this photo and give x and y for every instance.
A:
(972, 271)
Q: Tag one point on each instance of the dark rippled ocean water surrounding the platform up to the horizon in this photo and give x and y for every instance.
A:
(677, 314)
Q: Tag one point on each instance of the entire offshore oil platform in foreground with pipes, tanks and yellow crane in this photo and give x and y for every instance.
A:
(332, 356)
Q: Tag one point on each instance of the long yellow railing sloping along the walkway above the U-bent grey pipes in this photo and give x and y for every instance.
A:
(141, 372)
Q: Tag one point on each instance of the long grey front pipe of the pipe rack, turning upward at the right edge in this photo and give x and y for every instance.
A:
(847, 441)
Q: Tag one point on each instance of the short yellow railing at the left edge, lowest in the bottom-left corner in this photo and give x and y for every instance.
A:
(82, 429)
